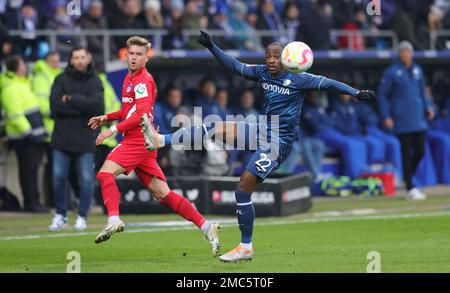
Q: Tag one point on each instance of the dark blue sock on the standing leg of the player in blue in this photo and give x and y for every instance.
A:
(246, 215)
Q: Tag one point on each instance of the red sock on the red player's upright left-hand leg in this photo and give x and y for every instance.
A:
(110, 192)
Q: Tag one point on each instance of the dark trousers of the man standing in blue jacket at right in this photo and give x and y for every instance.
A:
(413, 149)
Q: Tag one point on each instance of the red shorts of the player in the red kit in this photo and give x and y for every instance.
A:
(136, 157)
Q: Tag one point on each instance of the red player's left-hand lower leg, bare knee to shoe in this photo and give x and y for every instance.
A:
(111, 198)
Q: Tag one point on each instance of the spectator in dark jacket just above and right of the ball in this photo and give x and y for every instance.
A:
(316, 25)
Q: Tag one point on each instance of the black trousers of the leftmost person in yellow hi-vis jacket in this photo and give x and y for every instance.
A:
(29, 157)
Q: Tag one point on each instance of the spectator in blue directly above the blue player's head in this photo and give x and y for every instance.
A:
(269, 19)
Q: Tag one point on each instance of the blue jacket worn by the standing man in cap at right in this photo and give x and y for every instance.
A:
(402, 97)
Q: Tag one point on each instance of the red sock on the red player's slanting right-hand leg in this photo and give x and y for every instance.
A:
(183, 207)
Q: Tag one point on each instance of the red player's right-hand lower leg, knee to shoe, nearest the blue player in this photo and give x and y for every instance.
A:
(184, 208)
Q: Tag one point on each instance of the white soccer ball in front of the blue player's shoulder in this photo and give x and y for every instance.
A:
(297, 57)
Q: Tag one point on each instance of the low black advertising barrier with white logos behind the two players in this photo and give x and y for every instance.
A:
(215, 195)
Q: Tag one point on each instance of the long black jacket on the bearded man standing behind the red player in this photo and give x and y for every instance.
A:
(72, 133)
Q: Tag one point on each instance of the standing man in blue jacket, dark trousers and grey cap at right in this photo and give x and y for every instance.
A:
(404, 109)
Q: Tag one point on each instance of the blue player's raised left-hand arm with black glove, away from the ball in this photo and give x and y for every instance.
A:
(229, 62)
